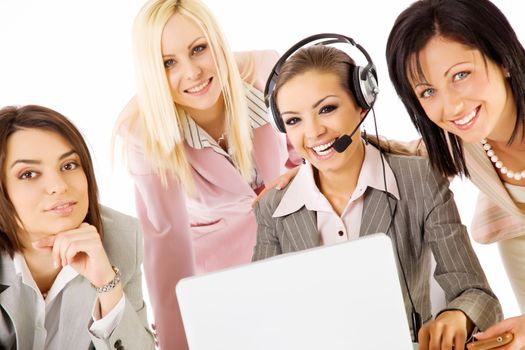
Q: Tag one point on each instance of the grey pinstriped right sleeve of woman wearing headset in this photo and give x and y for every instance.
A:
(458, 270)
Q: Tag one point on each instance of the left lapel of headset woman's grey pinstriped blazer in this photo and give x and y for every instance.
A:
(301, 230)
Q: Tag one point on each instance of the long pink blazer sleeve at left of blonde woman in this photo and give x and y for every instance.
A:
(168, 250)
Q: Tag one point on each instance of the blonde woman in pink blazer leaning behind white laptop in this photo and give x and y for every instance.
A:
(199, 150)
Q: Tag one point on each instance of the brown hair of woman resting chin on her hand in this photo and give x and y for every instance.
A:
(13, 119)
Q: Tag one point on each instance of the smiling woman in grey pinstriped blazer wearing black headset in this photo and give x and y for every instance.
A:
(319, 97)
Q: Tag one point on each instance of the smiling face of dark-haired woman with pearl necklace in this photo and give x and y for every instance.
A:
(464, 92)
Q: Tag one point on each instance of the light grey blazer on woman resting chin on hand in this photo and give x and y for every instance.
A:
(123, 244)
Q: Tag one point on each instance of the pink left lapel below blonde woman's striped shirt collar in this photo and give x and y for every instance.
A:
(217, 170)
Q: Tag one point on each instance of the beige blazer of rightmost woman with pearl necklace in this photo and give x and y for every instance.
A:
(496, 217)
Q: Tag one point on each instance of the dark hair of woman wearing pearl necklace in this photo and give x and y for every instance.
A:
(478, 24)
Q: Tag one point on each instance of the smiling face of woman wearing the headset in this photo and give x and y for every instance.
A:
(316, 110)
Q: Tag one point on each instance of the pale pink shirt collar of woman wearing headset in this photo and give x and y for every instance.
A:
(303, 190)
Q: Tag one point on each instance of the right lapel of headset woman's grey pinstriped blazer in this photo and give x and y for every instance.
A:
(376, 215)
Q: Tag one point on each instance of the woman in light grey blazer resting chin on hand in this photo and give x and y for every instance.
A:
(70, 273)
